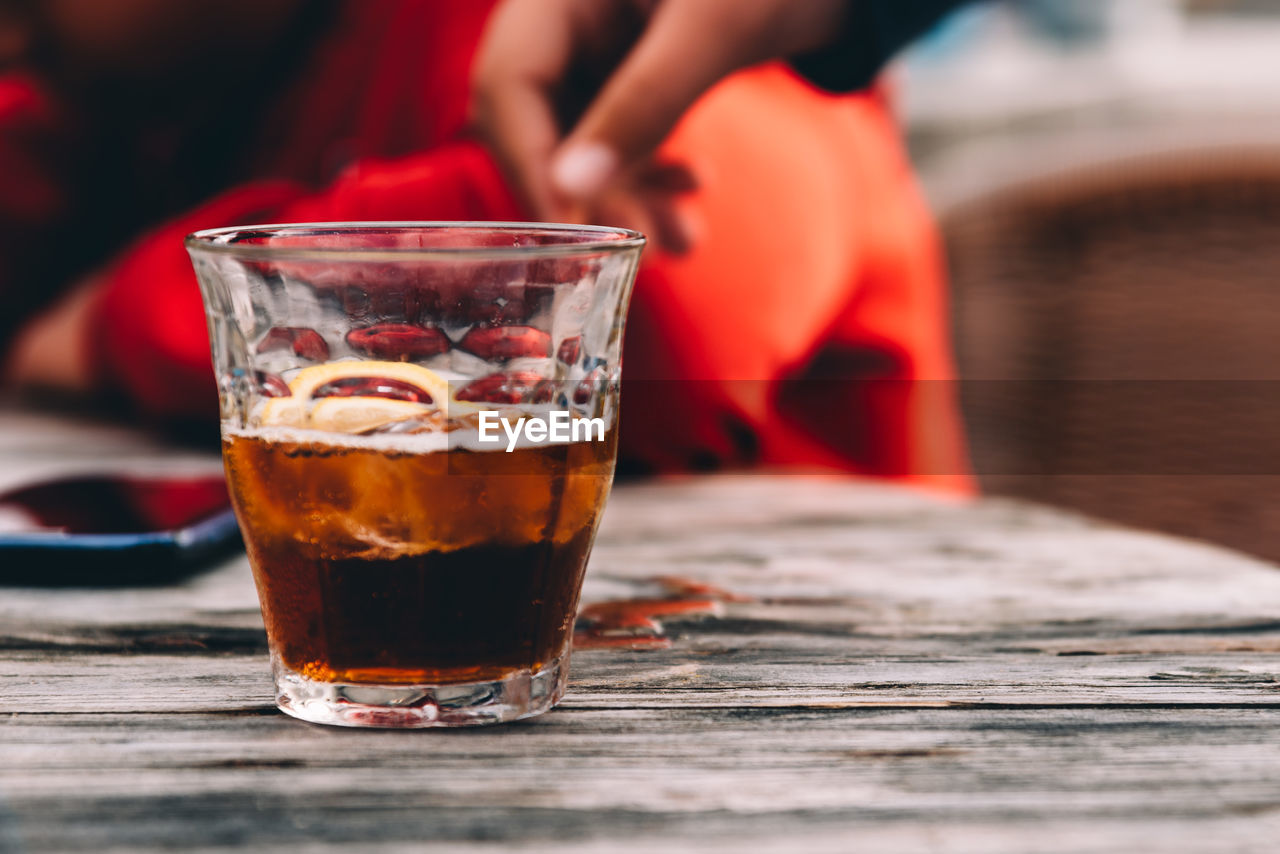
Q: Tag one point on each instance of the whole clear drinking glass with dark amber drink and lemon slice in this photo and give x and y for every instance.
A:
(419, 431)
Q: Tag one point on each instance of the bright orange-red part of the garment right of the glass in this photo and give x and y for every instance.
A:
(815, 304)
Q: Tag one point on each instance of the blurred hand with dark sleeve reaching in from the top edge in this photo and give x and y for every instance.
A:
(632, 85)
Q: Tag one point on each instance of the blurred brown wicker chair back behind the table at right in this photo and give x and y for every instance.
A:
(1118, 331)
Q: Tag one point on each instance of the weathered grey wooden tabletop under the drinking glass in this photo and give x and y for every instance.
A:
(893, 673)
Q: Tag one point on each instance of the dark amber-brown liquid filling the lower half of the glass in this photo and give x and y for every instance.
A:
(395, 568)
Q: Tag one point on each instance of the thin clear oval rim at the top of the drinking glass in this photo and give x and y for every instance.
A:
(225, 241)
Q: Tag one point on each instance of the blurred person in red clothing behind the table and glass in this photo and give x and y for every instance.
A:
(788, 316)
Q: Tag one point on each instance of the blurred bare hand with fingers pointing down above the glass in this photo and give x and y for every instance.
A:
(575, 97)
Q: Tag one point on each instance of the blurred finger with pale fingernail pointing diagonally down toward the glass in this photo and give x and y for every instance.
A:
(678, 60)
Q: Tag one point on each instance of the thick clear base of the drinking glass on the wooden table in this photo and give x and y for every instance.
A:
(519, 696)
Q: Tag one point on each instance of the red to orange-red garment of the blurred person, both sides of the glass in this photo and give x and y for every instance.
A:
(797, 334)
